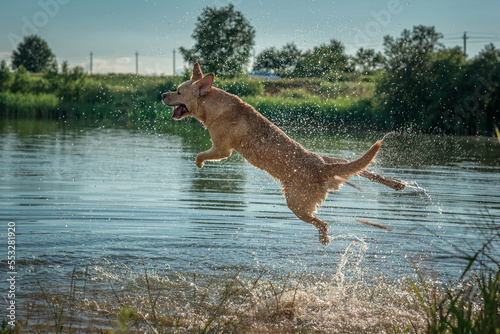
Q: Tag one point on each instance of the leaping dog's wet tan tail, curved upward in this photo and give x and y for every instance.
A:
(341, 172)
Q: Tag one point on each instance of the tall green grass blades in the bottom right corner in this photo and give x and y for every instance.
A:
(472, 305)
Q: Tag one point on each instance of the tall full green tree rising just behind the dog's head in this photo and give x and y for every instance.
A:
(223, 41)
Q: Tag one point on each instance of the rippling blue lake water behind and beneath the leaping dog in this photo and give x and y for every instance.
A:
(113, 201)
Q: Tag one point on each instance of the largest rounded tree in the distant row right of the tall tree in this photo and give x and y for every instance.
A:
(323, 60)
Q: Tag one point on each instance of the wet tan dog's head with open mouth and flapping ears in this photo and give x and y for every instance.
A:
(186, 98)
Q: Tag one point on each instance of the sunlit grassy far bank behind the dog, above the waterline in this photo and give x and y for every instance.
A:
(118, 97)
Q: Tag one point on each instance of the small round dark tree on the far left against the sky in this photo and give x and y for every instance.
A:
(33, 53)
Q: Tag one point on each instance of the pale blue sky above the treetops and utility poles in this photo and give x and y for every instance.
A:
(114, 30)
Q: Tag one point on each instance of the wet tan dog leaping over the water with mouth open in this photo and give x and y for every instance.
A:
(234, 125)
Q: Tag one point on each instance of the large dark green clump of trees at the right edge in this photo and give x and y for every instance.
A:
(436, 89)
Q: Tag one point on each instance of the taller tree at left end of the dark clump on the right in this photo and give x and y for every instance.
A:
(404, 90)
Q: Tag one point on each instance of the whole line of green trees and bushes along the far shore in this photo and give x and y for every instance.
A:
(419, 82)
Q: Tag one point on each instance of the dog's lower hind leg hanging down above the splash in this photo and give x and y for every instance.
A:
(304, 207)
